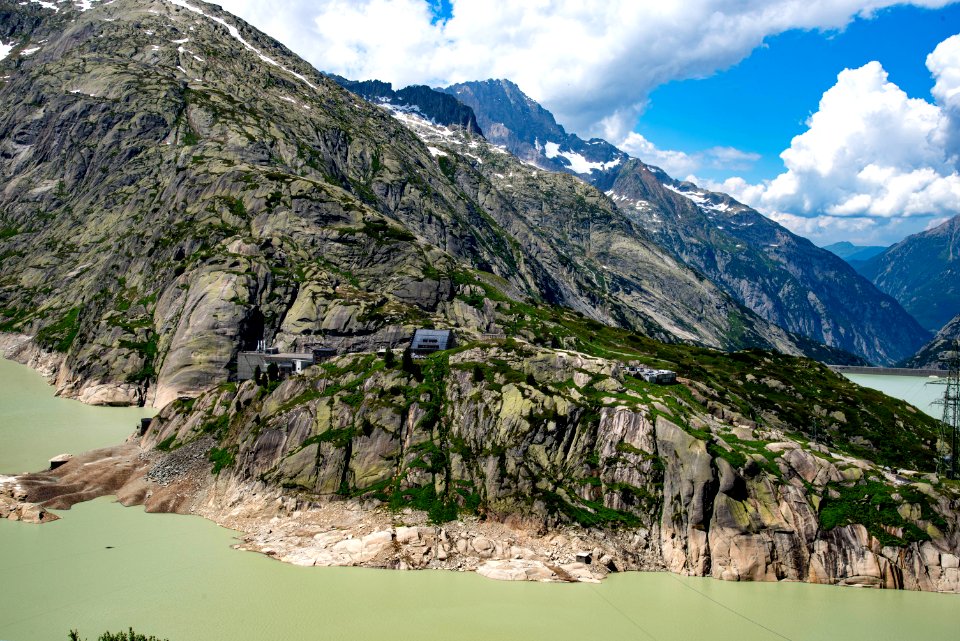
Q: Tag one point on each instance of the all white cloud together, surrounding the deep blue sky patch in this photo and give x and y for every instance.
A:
(872, 166)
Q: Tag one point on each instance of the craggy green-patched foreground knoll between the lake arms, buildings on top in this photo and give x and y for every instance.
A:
(752, 469)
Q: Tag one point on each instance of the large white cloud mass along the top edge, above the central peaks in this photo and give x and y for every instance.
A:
(592, 63)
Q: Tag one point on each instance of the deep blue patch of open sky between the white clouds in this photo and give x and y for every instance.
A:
(760, 104)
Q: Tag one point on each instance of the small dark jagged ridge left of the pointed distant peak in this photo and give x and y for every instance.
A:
(433, 105)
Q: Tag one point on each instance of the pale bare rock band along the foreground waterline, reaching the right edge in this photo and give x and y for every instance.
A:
(357, 533)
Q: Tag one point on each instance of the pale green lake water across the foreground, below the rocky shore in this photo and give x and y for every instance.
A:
(105, 566)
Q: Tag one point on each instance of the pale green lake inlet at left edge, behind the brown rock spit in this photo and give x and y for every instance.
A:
(35, 425)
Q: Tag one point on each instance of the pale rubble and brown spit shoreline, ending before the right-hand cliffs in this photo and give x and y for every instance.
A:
(328, 533)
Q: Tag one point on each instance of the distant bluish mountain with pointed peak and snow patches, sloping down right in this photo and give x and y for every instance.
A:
(782, 277)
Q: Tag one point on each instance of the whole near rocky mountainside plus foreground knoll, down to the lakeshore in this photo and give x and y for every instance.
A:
(177, 186)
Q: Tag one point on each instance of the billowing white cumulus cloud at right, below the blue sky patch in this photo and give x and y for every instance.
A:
(871, 158)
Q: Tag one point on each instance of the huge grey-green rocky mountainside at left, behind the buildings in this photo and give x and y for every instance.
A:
(172, 188)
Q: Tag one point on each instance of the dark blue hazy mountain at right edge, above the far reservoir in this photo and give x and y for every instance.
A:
(923, 273)
